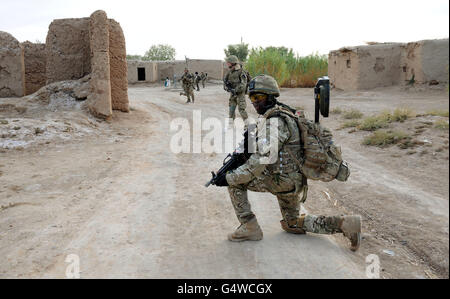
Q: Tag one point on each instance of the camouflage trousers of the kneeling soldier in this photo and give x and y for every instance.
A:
(287, 190)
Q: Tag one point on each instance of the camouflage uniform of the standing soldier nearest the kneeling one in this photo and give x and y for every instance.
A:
(238, 81)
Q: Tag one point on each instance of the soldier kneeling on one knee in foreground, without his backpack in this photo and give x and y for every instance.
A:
(283, 178)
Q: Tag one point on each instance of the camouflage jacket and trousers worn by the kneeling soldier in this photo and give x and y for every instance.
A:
(282, 178)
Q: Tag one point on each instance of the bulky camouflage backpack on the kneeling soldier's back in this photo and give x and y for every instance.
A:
(321, 158)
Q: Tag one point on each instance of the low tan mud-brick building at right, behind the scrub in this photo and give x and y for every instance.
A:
(371, 66)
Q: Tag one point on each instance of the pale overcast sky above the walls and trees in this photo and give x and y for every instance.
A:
(202, 28)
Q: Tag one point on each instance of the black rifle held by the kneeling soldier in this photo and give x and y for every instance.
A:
(233, 161)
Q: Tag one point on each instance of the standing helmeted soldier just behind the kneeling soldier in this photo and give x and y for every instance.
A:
(235, 83)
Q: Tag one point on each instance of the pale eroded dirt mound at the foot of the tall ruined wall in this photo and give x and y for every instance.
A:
(56, 112)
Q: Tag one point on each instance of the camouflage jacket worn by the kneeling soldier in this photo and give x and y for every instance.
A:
(276, 152)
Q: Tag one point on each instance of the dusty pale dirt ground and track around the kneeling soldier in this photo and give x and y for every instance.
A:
(115, 195)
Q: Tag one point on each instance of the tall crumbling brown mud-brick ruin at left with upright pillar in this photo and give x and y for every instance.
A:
(74, 48)
